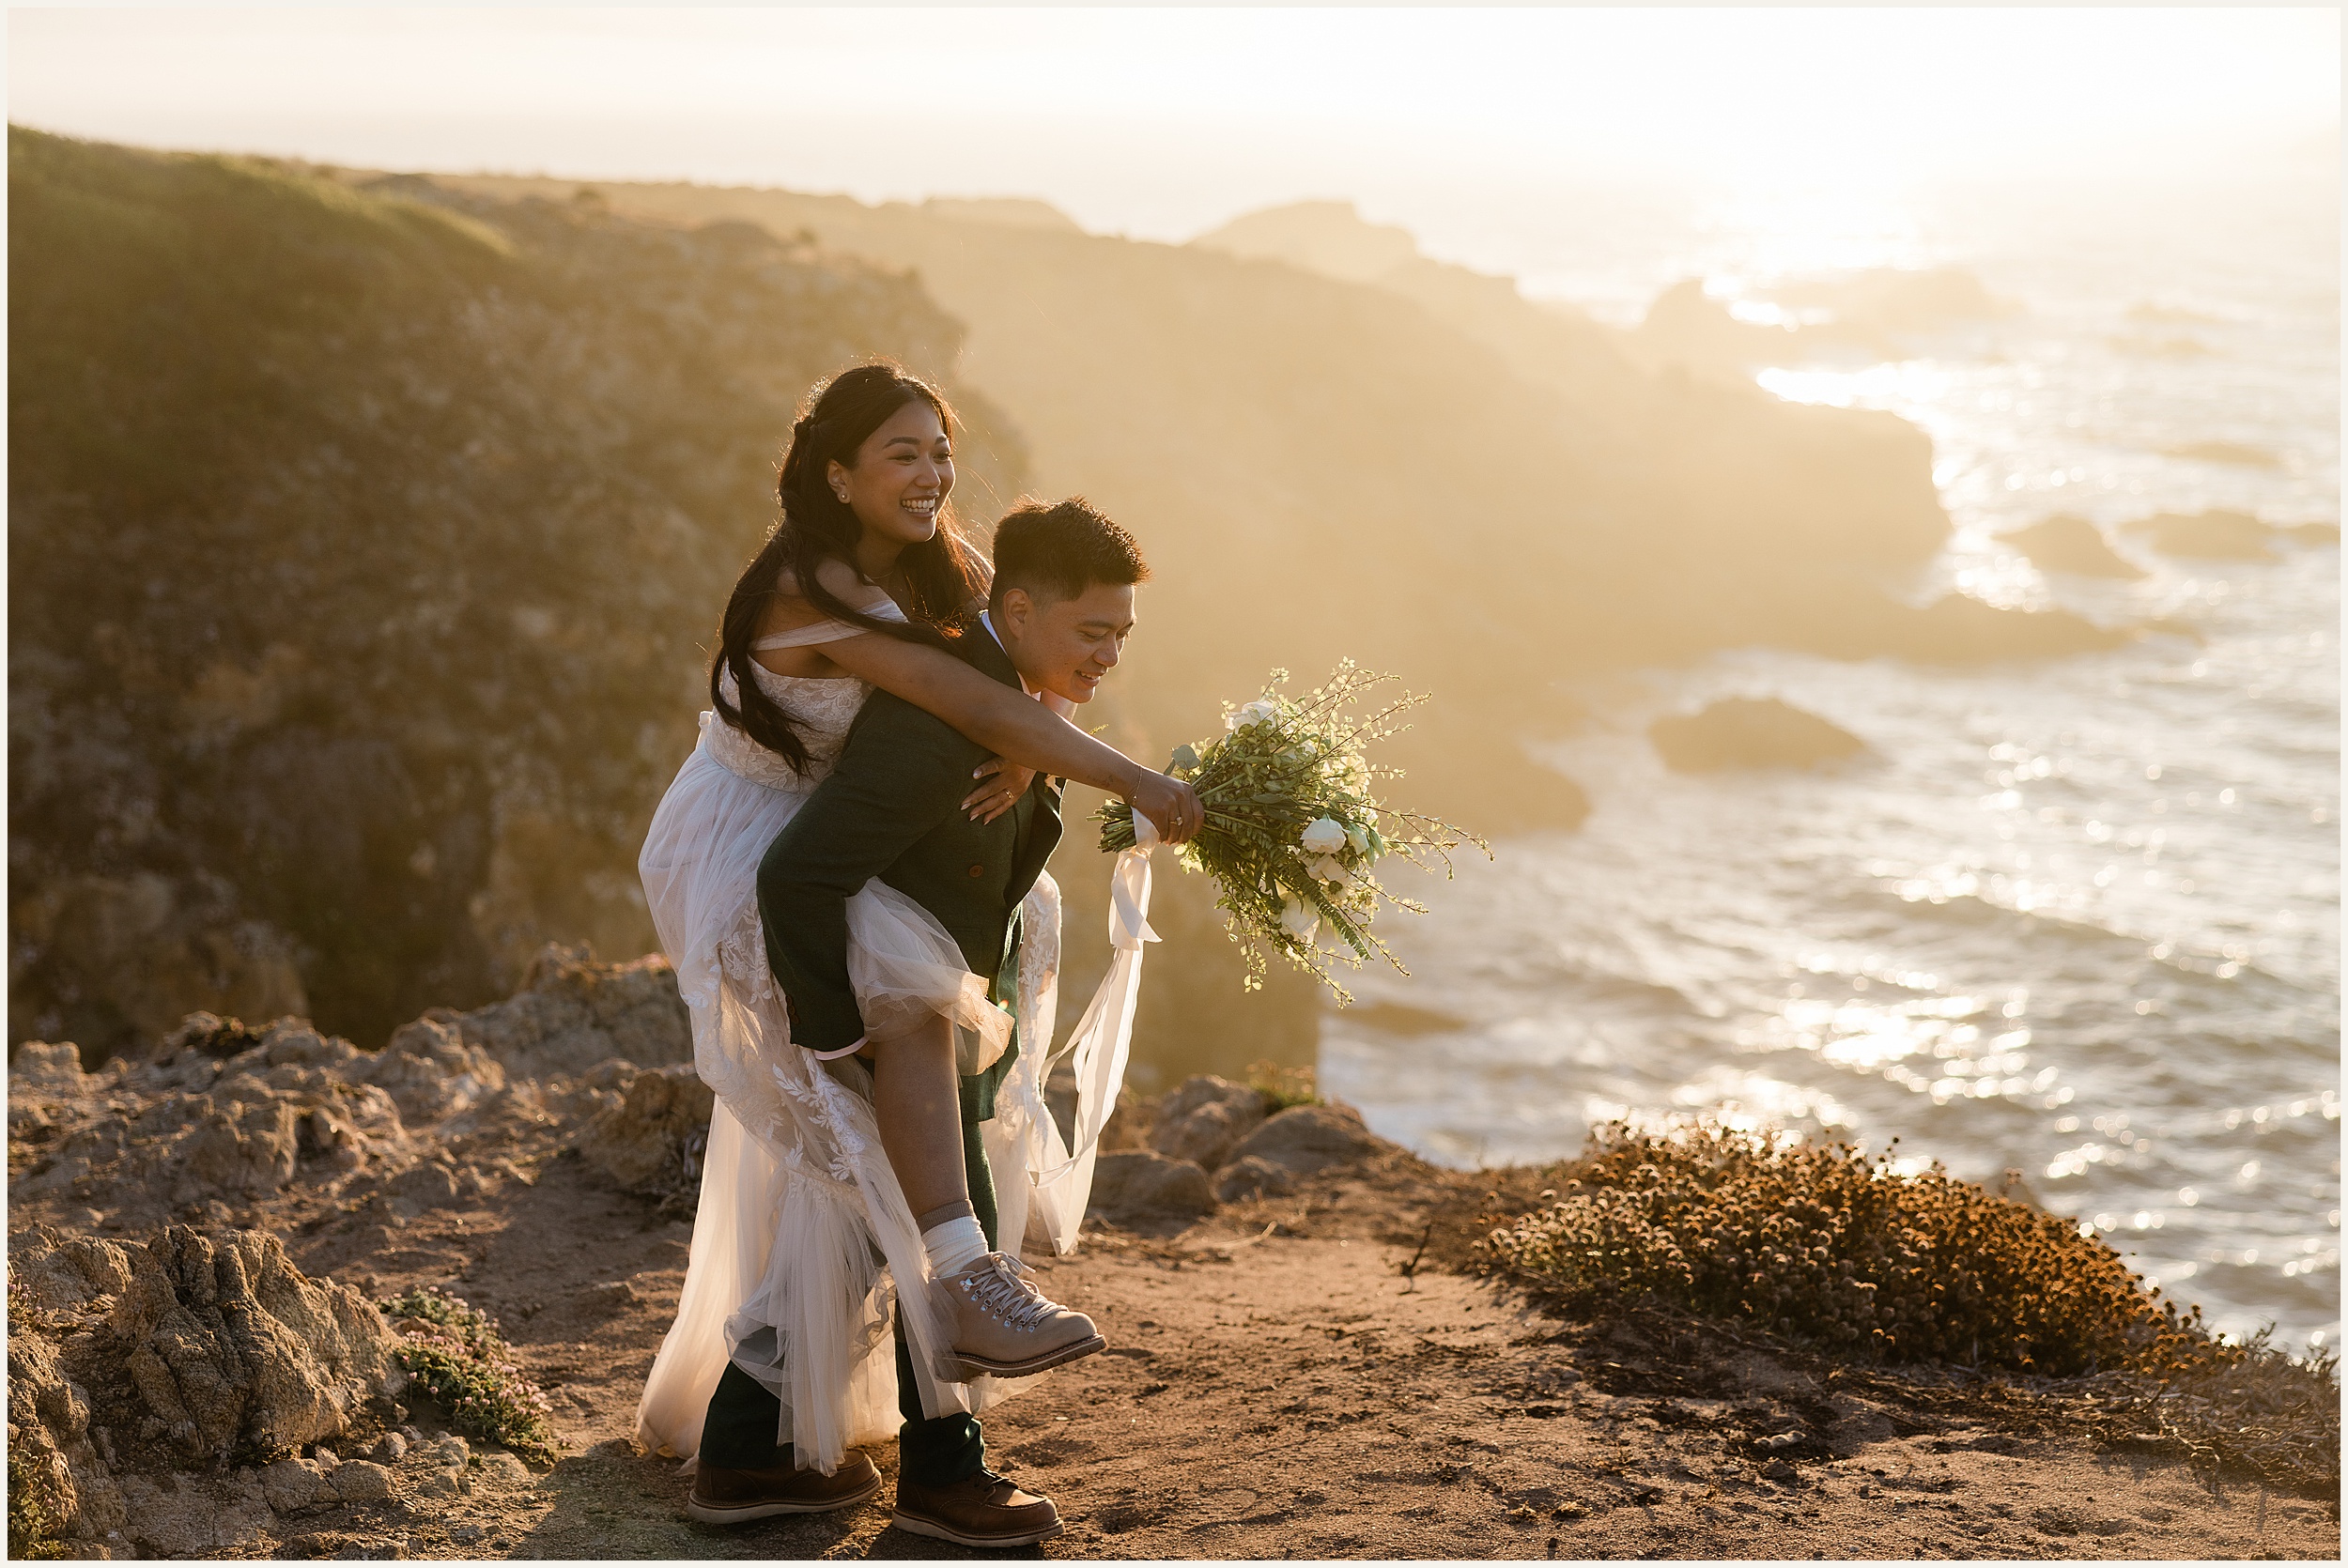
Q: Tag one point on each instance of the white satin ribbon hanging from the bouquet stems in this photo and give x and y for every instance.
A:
(1100, 1048)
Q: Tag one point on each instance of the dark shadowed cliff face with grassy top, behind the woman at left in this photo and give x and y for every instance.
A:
(363, 557)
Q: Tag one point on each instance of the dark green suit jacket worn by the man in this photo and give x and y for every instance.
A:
(893, 809)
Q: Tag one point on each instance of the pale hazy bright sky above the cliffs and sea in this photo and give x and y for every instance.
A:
(1161, 123)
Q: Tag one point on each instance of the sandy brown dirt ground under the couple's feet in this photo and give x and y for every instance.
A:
(1295, 1395)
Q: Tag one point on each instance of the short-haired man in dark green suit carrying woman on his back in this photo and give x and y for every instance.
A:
(893, 806)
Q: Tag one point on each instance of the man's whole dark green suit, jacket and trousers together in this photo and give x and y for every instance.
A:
(893, 809)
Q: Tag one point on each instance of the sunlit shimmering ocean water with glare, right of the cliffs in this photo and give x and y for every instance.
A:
(2074, 919)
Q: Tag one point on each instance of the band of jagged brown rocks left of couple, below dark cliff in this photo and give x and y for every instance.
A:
(222, 1116)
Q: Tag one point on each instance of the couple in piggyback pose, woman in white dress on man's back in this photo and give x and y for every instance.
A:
(849, 879)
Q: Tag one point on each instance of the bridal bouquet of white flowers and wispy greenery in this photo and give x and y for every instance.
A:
(1295, 830)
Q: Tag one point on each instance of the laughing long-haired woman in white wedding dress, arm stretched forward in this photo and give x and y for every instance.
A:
(863, 583)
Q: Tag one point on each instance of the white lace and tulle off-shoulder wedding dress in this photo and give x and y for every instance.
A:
(802, 1231)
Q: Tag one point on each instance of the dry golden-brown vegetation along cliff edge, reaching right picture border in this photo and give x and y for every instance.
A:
(1837, 1250)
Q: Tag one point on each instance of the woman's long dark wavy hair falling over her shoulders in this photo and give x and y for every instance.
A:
(943, 576)
